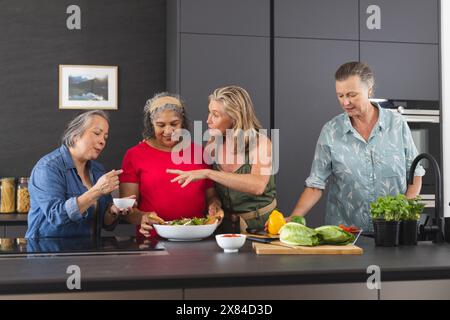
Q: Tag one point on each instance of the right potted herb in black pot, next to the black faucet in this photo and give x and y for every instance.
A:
(408, 223)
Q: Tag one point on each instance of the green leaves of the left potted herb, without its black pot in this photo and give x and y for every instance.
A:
(390, 208)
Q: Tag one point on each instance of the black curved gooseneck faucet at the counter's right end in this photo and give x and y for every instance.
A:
(436, 228)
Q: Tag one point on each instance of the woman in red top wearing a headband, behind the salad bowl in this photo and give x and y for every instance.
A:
(144, 169)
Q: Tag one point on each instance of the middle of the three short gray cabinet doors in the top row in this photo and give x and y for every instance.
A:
(317, 19)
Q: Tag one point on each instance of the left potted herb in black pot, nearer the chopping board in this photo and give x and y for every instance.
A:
(386, 213)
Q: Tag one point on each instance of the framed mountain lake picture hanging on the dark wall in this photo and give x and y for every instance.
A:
(88, 87)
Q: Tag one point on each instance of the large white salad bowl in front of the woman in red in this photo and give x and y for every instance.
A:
(185, 233)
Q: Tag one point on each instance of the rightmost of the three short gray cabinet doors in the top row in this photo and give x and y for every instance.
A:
(399, 20)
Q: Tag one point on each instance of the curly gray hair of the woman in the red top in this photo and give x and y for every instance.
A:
(150, 113)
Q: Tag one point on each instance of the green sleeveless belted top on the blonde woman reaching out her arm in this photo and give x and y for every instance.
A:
(239, 202)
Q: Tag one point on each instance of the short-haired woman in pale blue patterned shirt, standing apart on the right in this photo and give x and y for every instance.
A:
(362, 154)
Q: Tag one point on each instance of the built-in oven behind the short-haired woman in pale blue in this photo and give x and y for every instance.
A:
(424, 120)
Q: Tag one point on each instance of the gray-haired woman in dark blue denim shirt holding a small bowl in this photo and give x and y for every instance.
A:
(69, 191)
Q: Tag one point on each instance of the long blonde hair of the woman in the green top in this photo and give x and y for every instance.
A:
(239, 107)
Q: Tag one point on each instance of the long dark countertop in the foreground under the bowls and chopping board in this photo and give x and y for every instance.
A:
(204, 264)
